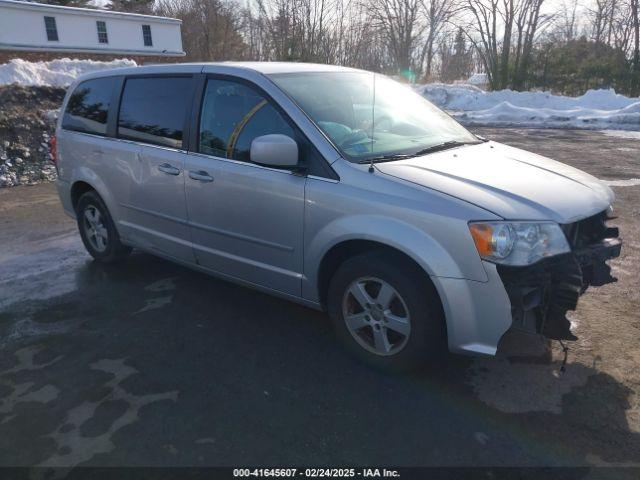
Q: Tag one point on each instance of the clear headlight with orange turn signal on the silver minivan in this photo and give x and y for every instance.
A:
(518, 243)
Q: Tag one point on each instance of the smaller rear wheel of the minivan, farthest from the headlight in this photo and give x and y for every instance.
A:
(97, 230)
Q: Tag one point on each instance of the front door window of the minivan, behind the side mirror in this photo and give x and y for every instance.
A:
(233, 115)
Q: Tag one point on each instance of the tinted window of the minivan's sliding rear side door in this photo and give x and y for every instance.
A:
(153, 110)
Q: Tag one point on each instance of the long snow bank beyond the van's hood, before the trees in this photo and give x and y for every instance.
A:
(596, 109)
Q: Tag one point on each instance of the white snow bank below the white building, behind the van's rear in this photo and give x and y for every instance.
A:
(56, 73)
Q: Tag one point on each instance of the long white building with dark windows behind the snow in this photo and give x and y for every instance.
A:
(35, 27)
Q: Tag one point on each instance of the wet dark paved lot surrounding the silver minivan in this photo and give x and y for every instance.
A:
(152, 364)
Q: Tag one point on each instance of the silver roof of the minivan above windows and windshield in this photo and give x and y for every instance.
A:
(261, 67)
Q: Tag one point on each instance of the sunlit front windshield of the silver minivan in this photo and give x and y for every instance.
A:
(371, 117)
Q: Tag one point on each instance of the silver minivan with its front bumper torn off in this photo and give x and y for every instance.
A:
(337, 188)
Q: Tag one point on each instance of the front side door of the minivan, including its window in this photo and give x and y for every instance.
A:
(246, 220)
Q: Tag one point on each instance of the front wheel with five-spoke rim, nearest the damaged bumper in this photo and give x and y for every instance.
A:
(412, 321)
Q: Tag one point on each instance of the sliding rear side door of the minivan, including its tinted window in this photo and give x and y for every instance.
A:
(152, 116)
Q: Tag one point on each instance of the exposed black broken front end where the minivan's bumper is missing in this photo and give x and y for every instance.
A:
(541, 294)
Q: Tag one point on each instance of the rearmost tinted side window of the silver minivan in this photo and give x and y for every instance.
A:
(88, 106)
